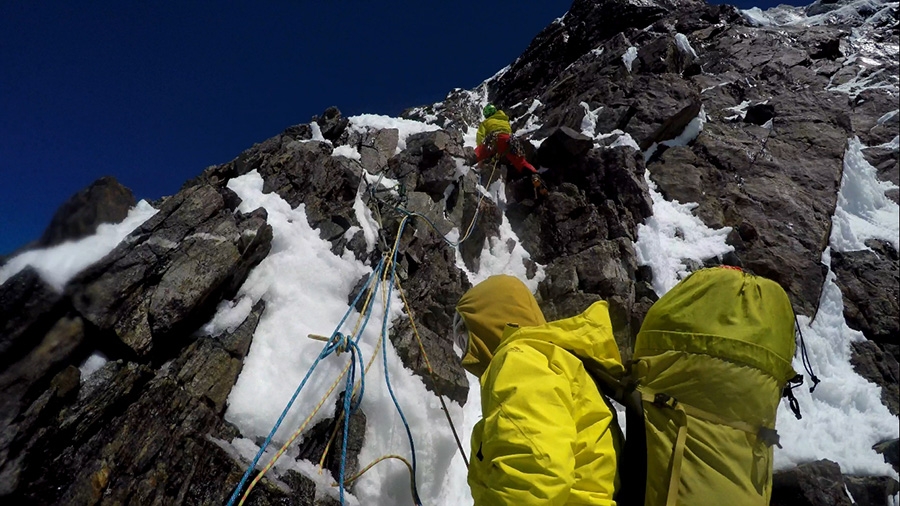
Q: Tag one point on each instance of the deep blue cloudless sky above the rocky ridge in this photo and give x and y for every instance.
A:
(154, 92)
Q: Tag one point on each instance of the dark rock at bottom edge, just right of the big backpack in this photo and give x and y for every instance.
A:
(814, 484)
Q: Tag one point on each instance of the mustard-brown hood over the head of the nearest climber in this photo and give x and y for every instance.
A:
(486, 309)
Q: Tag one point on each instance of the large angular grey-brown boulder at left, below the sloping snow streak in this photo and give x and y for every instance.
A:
(167, 276)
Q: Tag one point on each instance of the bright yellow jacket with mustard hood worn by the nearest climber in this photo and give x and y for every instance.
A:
(547, 436)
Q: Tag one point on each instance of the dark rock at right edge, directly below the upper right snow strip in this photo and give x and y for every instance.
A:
(870, 284)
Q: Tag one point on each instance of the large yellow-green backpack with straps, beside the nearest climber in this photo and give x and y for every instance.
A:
(711, 363)
